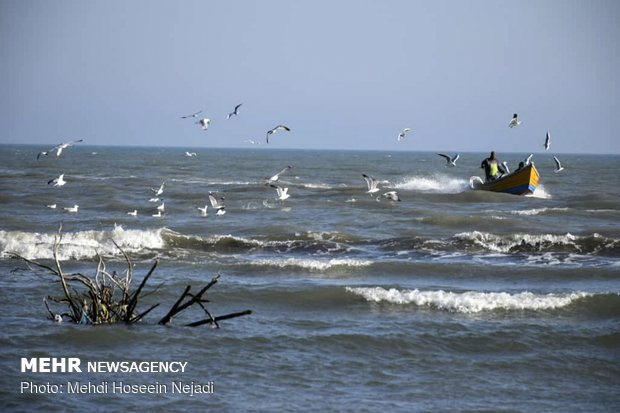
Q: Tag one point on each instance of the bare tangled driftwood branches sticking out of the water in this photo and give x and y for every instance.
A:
(106, 298)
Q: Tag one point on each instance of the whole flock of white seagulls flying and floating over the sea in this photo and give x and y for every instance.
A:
(282, 192)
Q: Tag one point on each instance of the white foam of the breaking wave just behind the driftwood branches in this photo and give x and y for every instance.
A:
(81, 244)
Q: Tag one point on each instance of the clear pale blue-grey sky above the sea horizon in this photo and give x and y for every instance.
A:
(348, 74)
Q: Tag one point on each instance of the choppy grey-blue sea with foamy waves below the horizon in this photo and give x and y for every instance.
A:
(448, 300)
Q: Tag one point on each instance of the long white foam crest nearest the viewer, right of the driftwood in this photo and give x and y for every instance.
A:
(470, 301)
